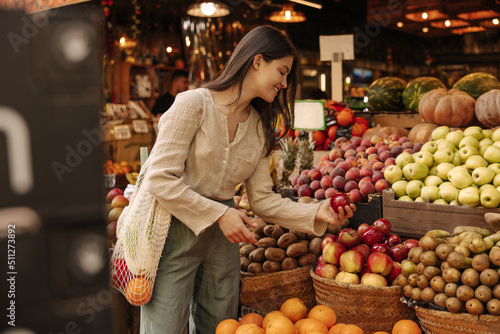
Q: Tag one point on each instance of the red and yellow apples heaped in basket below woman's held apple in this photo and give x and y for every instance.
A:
(369, 255)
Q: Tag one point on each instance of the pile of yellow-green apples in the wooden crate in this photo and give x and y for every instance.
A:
(460, 167)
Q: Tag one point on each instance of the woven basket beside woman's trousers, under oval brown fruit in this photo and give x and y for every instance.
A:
(264, 293)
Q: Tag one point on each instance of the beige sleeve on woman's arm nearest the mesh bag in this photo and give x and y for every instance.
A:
(165, 180)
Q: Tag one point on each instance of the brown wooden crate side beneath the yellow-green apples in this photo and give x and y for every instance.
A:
(414, 219)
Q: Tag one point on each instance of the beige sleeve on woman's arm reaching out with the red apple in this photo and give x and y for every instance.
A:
(275, 209)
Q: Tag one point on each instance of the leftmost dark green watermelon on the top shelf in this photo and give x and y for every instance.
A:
(385, 94)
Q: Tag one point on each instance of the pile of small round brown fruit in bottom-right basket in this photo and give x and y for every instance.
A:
(452, 273)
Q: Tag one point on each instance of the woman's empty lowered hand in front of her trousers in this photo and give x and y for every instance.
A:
(232, 224)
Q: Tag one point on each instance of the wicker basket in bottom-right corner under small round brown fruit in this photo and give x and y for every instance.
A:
(441, 322)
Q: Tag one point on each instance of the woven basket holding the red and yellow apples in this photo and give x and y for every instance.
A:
(371, 308)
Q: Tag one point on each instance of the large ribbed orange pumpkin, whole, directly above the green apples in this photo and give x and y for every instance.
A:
(451, 108)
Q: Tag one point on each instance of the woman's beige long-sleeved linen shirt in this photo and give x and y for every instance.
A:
(193, 165)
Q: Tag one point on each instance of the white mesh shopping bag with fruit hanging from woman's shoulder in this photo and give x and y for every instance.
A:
(141, 233)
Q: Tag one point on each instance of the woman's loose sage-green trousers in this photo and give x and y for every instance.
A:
(197, 277)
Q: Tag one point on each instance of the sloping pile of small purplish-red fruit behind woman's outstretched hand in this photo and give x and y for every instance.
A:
(355, 167)
